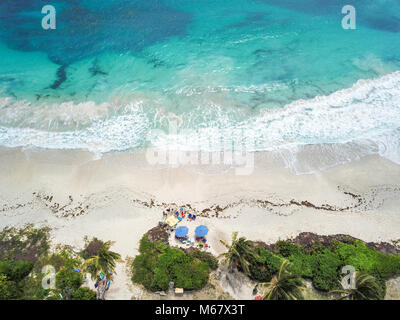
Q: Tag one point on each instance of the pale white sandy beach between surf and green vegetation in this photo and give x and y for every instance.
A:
(116, 199)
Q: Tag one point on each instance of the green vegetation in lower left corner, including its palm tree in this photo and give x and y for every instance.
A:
(23, 254)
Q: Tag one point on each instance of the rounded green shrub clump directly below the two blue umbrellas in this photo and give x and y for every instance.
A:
(158, 264)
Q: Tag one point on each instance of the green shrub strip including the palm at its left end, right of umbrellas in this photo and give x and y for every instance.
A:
(322, 265)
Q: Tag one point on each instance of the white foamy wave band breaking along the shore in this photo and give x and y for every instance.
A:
(350, 123)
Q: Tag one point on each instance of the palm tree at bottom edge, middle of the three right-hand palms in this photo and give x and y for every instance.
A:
(284, 285)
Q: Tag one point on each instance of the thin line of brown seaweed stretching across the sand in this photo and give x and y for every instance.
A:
(372, 199)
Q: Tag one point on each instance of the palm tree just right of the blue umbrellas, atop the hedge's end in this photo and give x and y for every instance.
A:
(239, 253)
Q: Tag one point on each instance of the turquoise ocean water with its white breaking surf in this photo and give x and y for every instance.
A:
(281, 72)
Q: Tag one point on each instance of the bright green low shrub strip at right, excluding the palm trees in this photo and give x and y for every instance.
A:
(322, 265)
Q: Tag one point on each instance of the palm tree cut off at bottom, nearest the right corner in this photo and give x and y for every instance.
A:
(366, 288)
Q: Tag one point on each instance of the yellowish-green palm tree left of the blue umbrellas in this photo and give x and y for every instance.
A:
(104, 261)
